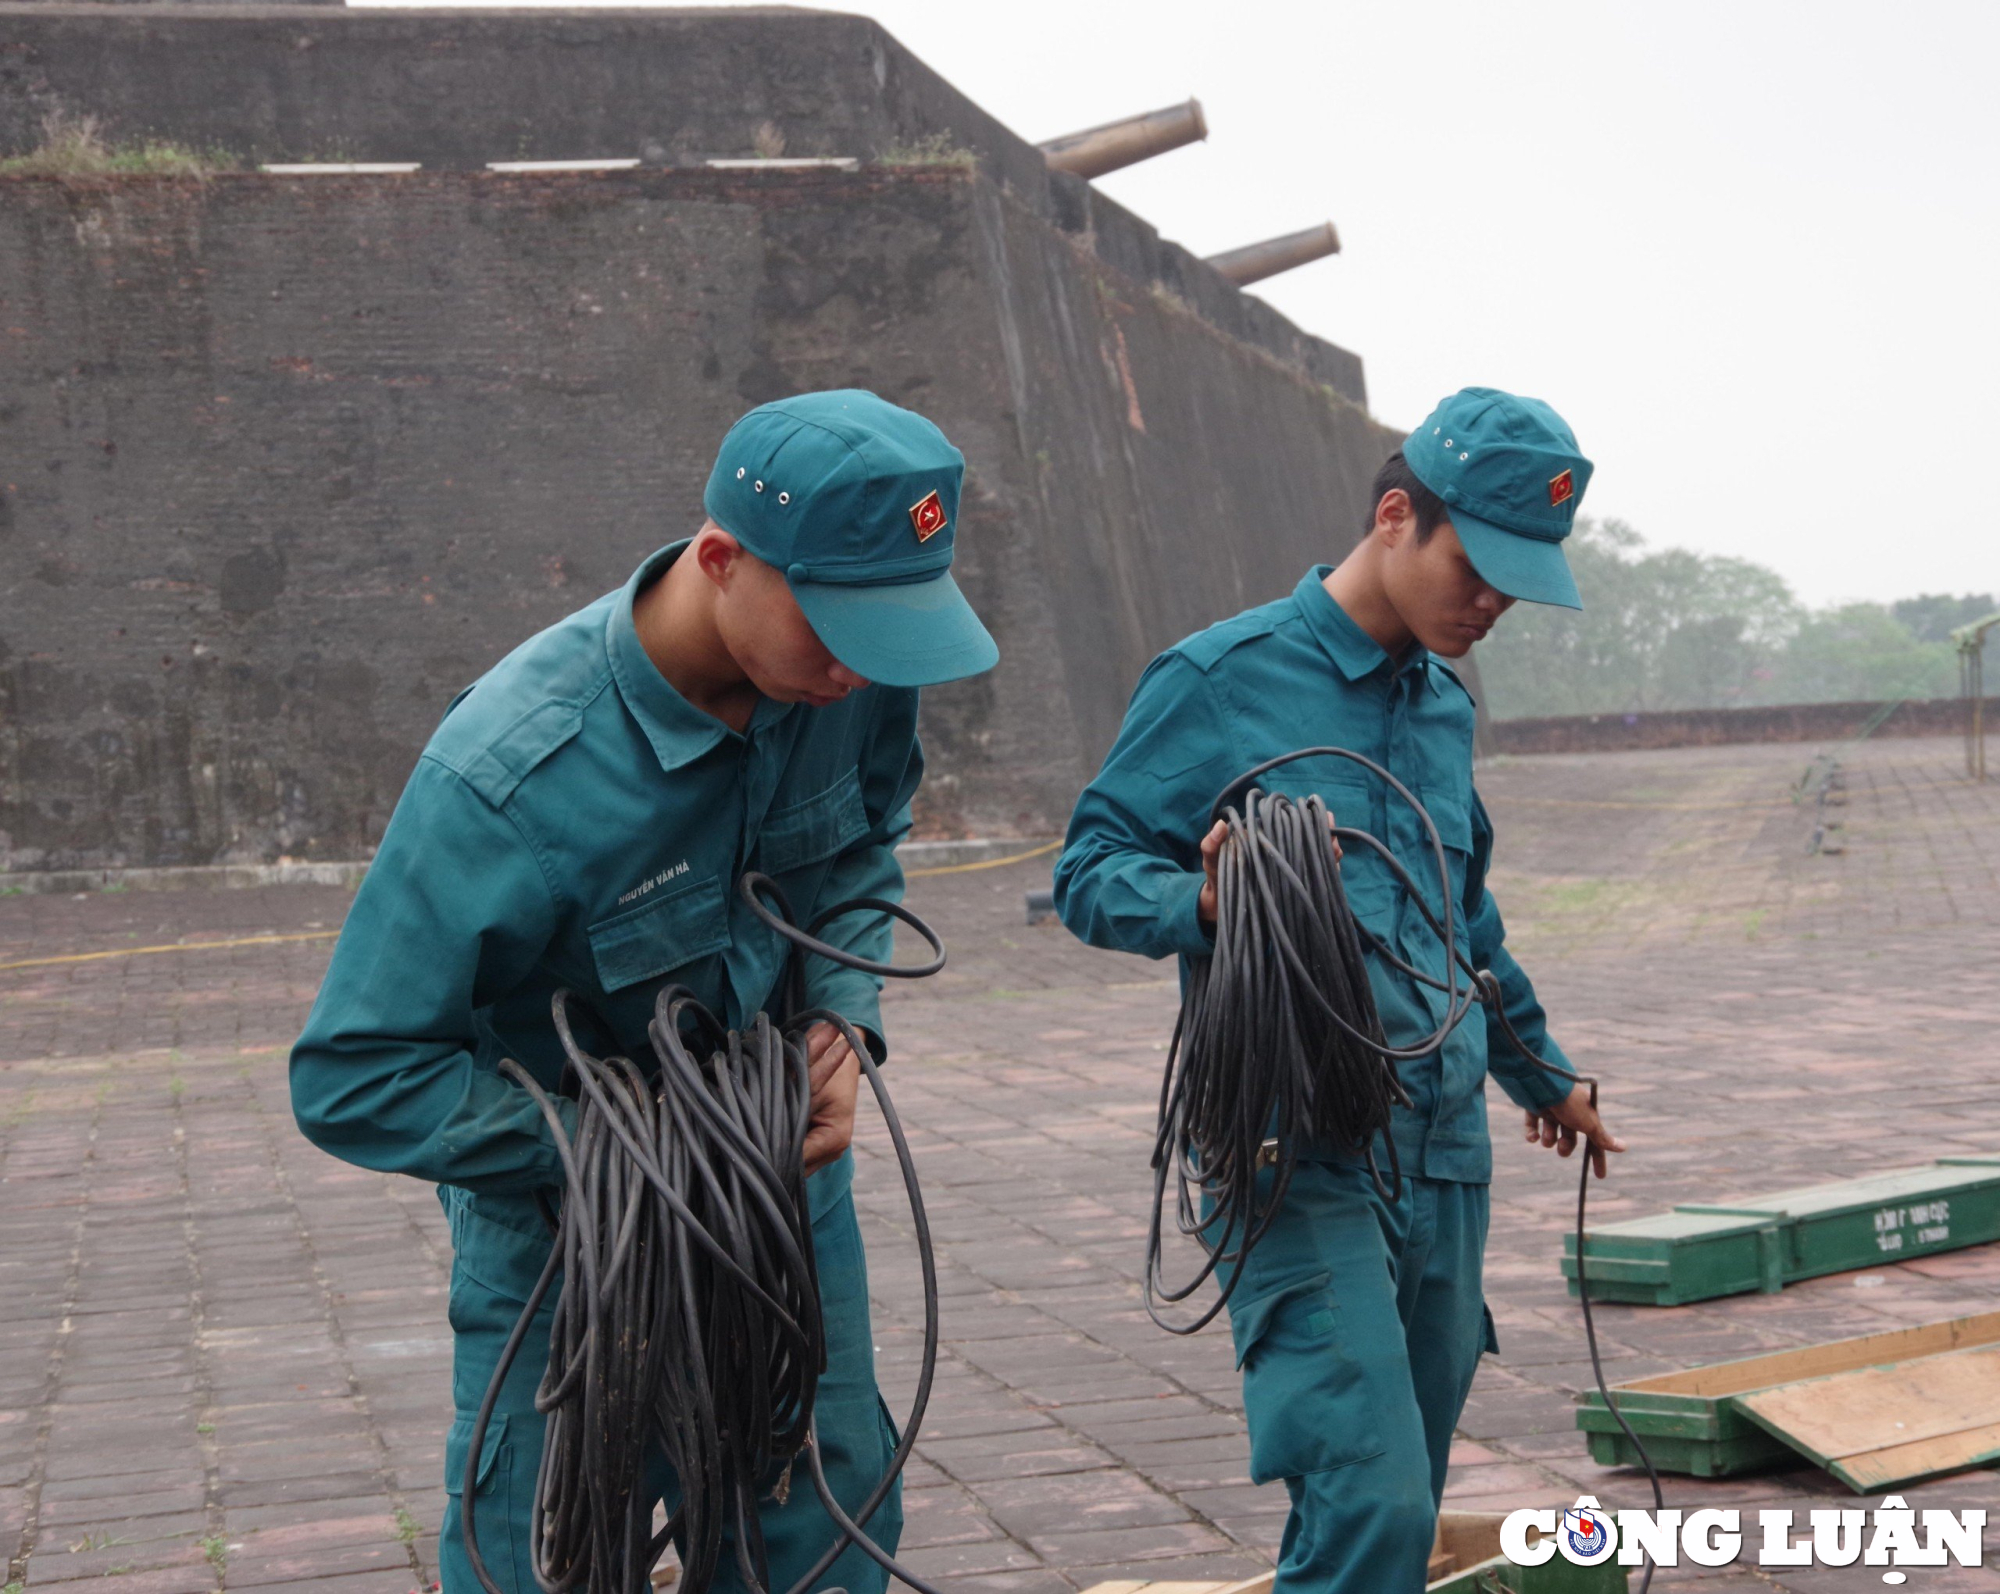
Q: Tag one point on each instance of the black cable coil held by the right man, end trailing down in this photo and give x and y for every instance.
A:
(1279, 1039)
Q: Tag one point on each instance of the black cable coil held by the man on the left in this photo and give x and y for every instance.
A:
(689, 1321)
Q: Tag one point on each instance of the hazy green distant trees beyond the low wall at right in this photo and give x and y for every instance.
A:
(1673, 629)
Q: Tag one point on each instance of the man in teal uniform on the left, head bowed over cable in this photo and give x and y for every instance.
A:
(747, 701)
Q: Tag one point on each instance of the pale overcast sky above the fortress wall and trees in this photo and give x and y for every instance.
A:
(1751, 251)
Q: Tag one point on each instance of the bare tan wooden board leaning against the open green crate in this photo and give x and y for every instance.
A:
(1935, 1413)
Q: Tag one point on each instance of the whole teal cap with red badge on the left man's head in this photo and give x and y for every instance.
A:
(857, 501)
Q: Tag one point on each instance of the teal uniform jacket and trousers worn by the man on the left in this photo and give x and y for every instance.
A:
(577, 823)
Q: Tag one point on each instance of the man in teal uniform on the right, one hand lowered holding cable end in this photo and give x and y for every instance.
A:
(1359, 1321)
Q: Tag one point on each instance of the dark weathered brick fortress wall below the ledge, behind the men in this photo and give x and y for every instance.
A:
(287, 463)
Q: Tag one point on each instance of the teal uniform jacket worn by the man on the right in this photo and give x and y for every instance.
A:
(1293, 675)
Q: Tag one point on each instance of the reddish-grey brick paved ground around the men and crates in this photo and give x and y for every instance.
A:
(223, 1357)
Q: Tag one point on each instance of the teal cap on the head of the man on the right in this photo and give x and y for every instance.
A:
(1511, 477)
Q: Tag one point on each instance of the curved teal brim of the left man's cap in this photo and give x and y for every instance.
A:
(905, 635)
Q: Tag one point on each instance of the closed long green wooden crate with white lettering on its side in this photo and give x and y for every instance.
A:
(1717, 1249)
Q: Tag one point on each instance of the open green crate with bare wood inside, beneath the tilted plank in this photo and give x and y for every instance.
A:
(1691, 1421)
